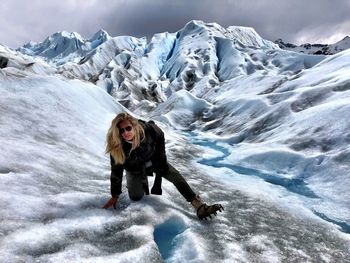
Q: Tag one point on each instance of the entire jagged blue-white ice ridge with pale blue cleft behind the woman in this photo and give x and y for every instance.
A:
(143, 74)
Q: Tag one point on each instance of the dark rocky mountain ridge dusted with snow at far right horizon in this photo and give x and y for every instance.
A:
(316, 49)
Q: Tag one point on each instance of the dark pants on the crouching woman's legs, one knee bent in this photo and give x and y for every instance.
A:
(137, 182)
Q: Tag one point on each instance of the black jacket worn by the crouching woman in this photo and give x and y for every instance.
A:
(152, 148)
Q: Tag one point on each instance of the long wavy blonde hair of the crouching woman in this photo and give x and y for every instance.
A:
(114, 140)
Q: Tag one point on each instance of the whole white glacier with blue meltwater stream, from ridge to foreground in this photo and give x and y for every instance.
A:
(260, 129)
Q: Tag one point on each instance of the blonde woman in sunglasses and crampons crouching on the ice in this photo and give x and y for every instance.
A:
(139, 148)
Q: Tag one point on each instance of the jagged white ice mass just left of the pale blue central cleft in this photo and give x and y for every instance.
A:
(131, 72)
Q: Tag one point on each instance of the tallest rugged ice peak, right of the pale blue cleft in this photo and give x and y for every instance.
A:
(206, 54)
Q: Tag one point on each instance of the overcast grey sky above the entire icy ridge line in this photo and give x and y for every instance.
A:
(295, 21)
